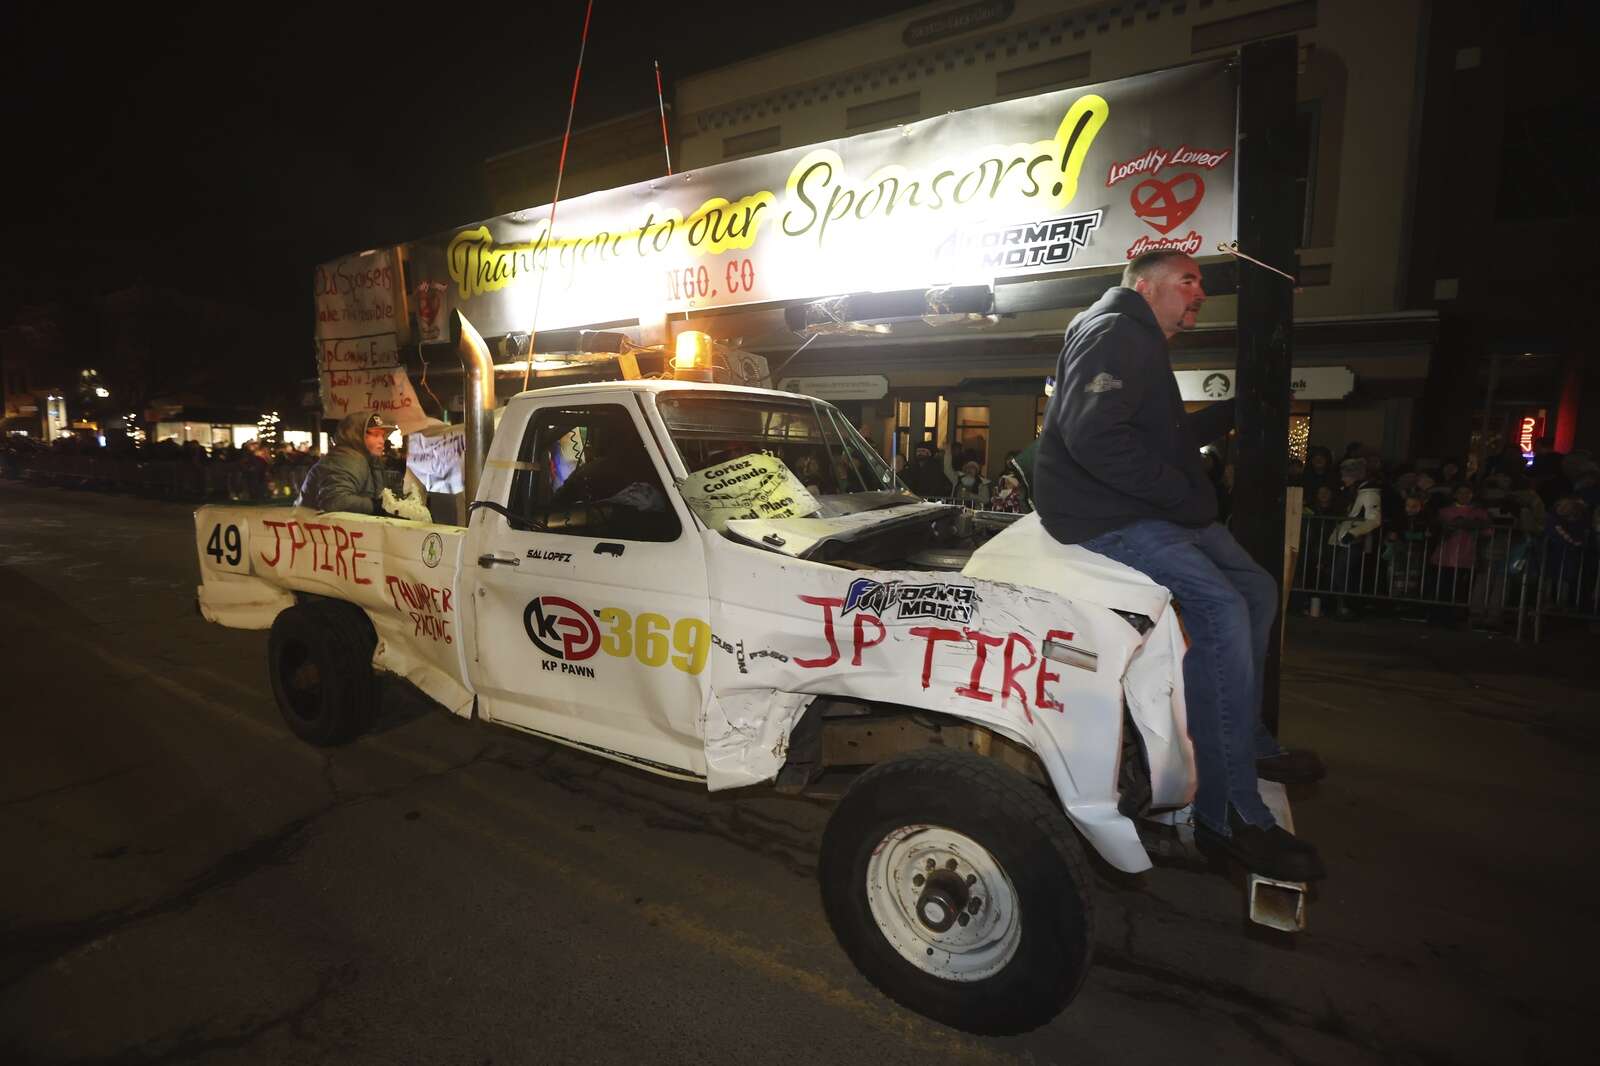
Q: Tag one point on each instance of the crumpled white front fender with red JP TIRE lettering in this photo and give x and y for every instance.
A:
(791, 628)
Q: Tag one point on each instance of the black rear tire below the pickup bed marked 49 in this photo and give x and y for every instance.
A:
(321, 663)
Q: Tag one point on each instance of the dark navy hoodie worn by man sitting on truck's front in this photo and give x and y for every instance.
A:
(1118, 446)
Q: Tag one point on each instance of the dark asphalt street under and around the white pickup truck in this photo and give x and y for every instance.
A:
(186, 883)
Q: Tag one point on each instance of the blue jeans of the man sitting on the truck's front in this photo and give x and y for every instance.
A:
(1228, 606)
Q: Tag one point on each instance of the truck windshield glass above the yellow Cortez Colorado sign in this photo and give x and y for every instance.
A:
(818, 444)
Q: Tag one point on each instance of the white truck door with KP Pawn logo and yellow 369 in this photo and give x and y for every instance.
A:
(590, 588)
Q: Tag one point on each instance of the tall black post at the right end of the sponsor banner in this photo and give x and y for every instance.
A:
(1268, 231)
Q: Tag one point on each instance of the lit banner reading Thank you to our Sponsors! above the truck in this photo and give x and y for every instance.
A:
(1073, 180)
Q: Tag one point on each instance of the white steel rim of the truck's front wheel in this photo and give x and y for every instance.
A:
(911, 892)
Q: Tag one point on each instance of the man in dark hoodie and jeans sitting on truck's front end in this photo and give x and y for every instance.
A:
(1119, 473)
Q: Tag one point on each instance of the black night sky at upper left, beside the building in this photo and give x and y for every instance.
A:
(228, 151)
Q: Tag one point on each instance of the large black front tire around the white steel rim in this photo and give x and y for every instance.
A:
(1026, 838)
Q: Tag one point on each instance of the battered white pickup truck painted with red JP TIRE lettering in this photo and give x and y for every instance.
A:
(727, 585)
